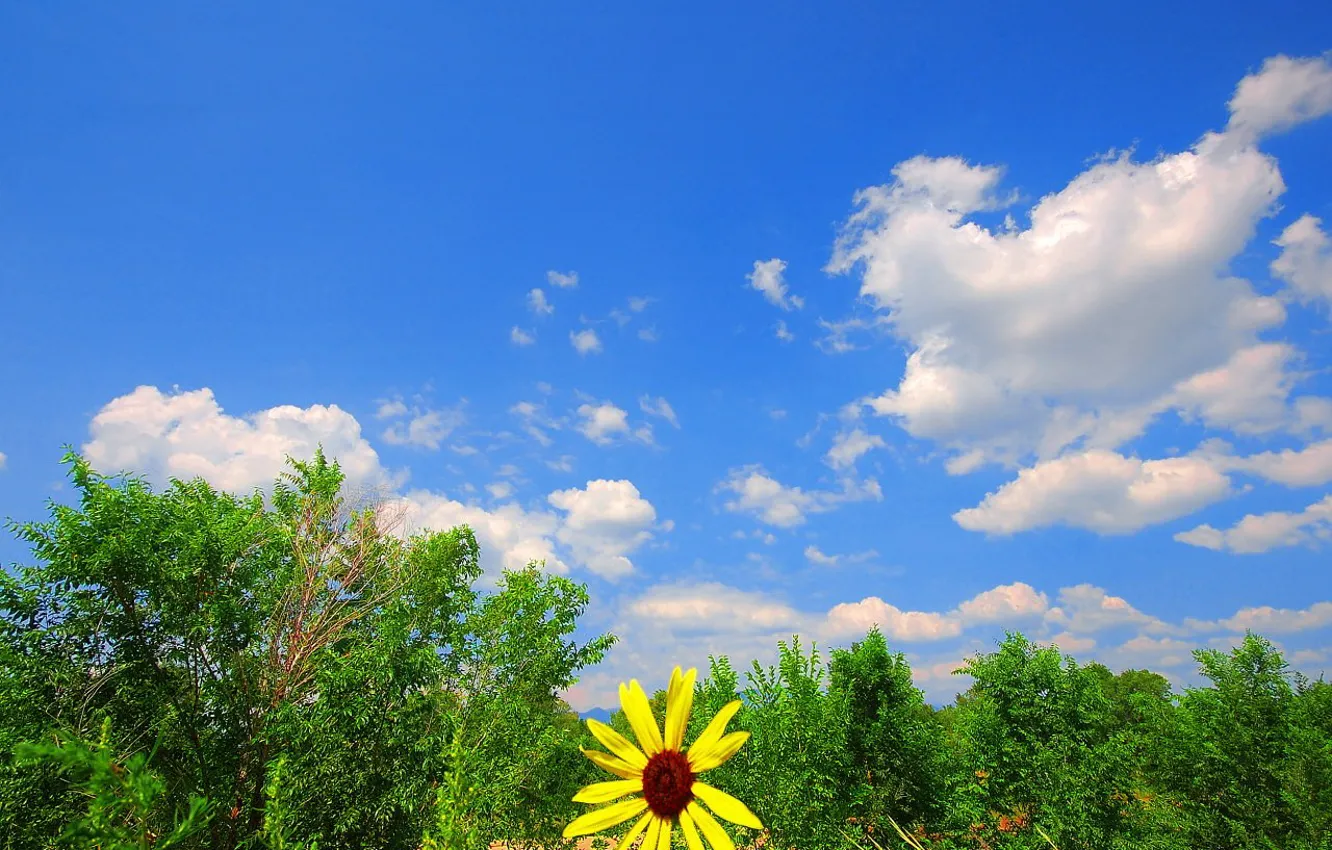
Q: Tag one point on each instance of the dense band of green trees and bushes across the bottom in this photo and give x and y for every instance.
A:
(194, 669)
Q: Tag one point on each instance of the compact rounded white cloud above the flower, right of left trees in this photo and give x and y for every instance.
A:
(607, 522)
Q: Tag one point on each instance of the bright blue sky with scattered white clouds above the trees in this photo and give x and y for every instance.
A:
(956, 322)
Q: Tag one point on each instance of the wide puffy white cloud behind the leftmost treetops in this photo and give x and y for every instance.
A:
(187, 435)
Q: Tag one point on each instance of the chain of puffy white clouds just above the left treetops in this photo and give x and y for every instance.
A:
(187, 435)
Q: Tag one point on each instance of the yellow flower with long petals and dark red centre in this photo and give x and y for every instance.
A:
(664, 773)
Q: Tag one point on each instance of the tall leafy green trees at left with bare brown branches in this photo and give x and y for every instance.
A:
(242, 634)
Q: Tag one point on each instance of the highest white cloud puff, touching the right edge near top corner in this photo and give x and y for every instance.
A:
(1283, 94)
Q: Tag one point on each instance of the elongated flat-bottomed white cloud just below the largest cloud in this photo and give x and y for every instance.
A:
(1098, 491)
